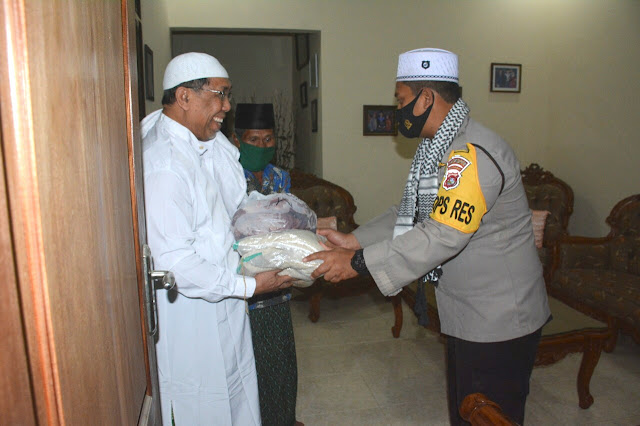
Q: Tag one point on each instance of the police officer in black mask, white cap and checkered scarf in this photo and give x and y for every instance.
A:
(464, 225)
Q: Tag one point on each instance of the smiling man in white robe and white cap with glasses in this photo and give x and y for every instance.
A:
(193, 186)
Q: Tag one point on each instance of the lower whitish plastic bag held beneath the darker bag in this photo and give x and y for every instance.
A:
(280, 250)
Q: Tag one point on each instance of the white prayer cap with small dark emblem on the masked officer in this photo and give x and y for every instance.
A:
(428, 64)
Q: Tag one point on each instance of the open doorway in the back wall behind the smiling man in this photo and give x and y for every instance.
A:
(279, 67)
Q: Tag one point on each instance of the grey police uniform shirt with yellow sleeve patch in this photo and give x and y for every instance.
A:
(480, 231)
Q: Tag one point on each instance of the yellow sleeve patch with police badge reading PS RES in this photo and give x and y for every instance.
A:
(460, 203)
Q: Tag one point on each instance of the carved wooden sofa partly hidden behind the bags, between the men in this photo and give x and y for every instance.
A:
(328, 199)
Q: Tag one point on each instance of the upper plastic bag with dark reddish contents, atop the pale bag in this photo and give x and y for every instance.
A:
(262, 214)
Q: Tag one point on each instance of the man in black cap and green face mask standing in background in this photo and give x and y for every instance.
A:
(271, 327)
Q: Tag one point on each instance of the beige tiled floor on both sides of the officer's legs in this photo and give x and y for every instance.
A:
(353, 372)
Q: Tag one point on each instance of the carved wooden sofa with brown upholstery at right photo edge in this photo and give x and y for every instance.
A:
(601, 276)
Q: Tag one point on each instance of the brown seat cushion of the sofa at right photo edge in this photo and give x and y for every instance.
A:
(614, 292)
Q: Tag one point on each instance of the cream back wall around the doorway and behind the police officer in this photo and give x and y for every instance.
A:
(577, 114)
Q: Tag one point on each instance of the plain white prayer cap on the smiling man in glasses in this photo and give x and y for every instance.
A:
(192, 66)
